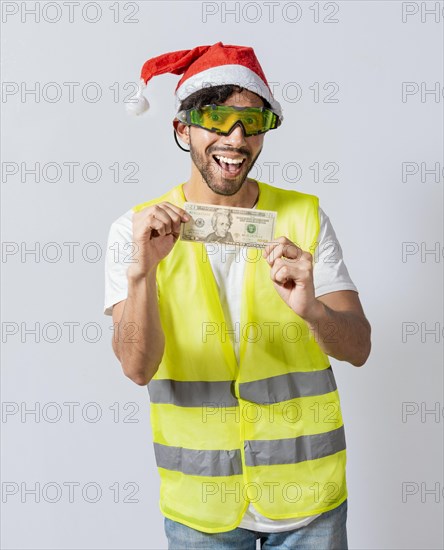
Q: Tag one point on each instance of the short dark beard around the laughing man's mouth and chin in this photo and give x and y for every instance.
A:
(211, 172)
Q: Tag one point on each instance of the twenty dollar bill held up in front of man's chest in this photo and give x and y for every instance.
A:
(241, 226)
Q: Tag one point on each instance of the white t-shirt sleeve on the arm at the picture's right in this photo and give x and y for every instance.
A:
(330, 273)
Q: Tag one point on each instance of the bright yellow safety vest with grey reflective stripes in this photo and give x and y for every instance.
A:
(268, 430)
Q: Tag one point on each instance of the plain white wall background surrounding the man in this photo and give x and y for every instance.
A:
(369, 52)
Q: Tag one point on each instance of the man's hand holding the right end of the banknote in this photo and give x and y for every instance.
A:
(292, 276)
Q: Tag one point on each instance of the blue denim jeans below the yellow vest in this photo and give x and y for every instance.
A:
(327, 532)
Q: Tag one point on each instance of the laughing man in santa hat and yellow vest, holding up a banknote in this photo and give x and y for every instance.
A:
(247, 427)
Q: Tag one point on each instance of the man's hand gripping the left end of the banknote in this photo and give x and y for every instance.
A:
(155, 232)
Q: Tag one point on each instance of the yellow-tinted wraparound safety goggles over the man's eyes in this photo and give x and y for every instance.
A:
(222, 118)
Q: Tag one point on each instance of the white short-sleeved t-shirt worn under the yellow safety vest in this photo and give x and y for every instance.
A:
(330, 274)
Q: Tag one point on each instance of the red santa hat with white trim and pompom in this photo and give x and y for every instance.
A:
(206, 66)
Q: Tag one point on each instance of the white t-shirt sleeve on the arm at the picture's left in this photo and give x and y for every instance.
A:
(118, 255)
